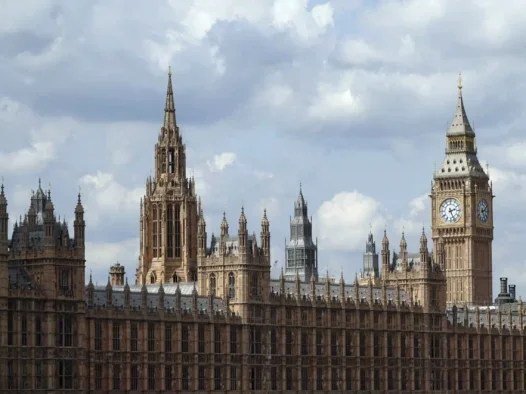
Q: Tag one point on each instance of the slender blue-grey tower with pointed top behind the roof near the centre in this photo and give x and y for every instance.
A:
(301, 253)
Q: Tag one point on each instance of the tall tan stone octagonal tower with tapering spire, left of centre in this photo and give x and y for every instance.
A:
(168, 221)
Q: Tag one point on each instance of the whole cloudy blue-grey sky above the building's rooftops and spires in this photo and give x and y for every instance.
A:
(351, 98)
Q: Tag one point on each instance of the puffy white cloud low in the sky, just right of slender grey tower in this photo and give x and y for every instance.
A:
(344, 221)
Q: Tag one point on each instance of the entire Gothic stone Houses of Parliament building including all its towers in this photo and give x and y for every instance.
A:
(204, 314)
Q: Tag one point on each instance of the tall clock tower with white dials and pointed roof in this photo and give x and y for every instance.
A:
(462, 215)
